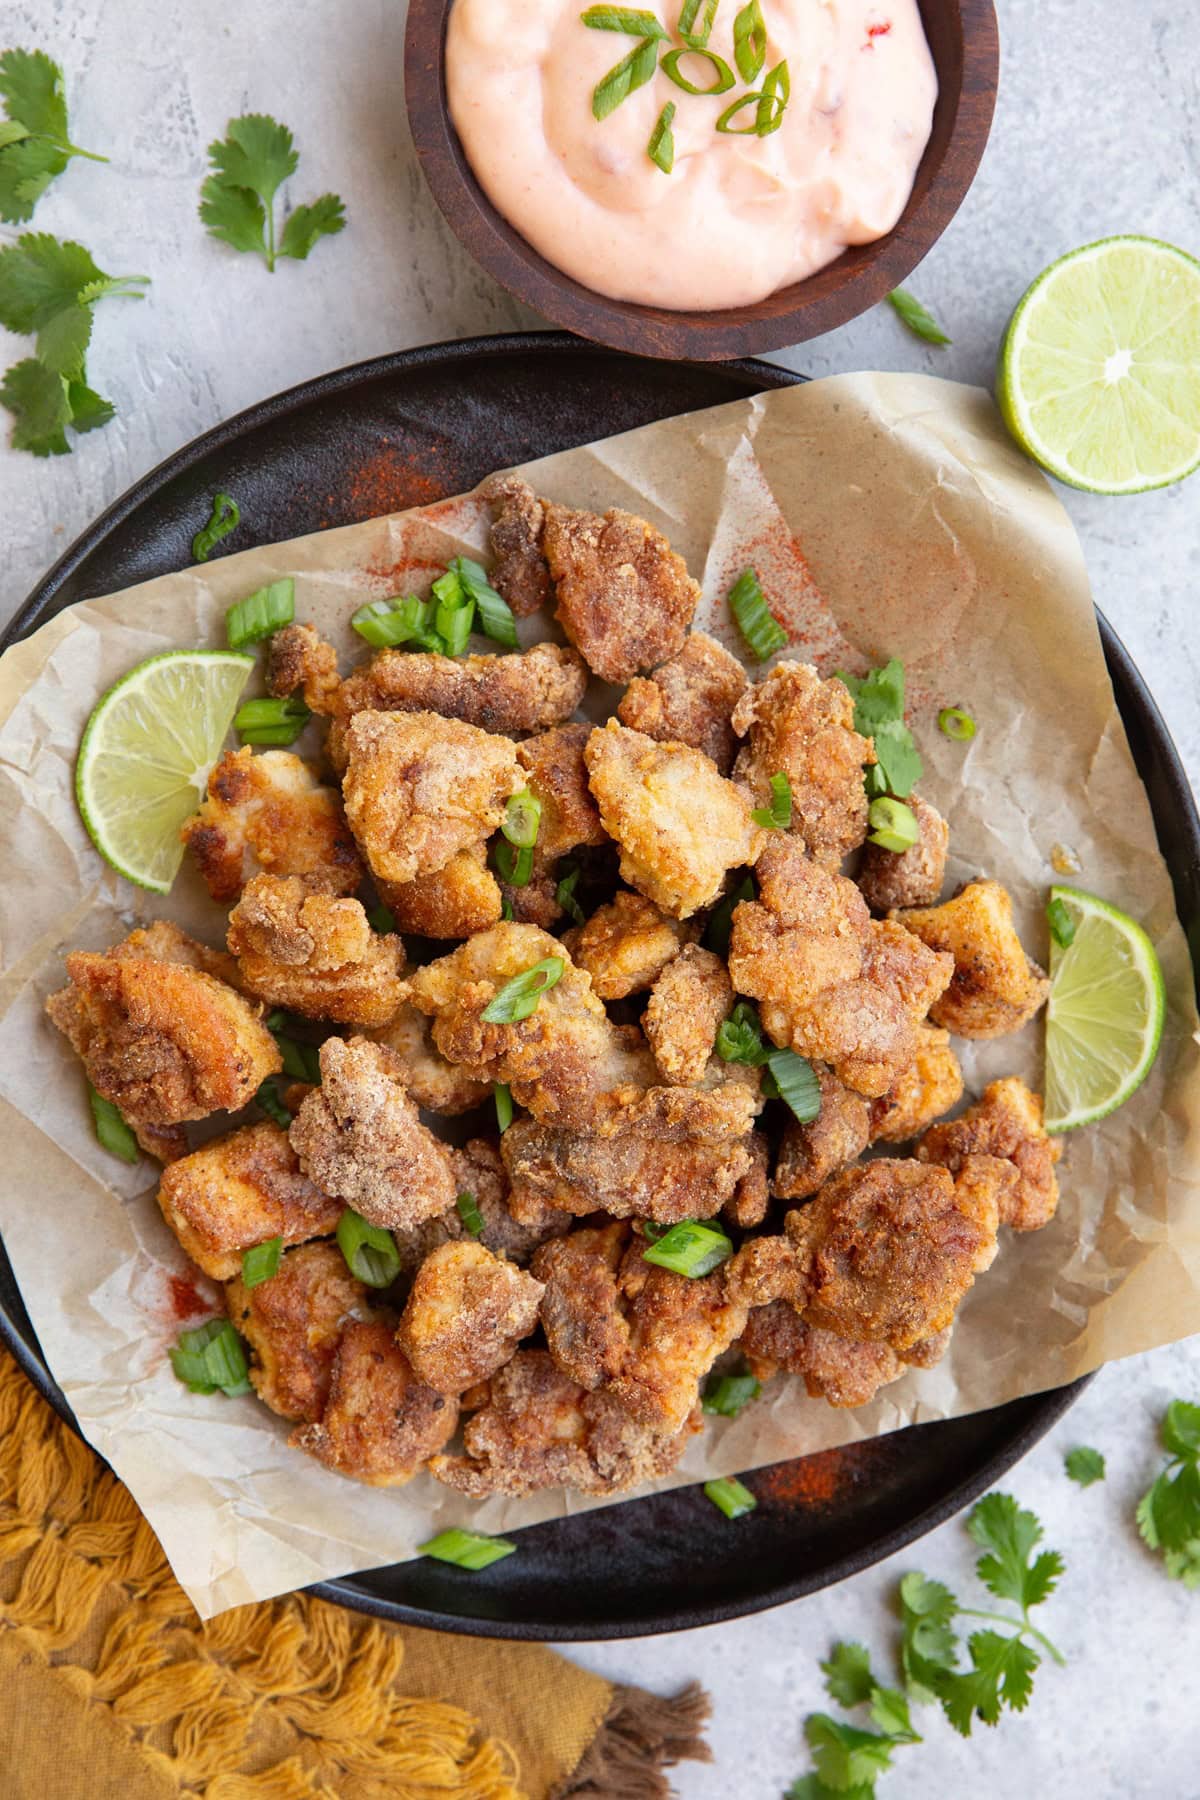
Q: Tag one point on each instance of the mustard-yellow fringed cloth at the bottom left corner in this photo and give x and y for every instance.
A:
(111, 1689)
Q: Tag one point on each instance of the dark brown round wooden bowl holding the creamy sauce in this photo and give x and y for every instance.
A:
(967, 53)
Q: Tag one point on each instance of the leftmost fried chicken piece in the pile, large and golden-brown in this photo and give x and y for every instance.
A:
(163, 1039)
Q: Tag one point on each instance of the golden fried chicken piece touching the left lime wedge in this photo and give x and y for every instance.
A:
(271, 813)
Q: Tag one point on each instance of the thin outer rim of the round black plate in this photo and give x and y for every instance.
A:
(1043, 1410)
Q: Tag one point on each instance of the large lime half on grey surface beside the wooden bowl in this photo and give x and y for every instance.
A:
(1100, 368)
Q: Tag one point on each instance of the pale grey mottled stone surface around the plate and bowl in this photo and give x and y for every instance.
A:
(1098, 130)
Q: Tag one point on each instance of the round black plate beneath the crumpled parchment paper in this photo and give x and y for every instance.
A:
(399, 433)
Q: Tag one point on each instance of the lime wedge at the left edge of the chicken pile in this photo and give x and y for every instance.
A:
(147, 757)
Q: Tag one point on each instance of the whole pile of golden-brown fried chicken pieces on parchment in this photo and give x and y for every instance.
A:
(546, 1336)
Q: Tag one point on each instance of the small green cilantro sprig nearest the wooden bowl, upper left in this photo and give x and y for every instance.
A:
(238, 201)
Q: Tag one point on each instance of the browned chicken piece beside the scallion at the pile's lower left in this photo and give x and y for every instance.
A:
(294, 1324)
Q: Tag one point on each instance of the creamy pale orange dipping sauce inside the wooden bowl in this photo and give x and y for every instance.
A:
(739, 217)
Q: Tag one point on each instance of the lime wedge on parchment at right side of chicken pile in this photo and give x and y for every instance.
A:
(1104, 1023)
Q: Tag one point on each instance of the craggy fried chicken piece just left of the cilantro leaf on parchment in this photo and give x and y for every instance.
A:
(805, 728)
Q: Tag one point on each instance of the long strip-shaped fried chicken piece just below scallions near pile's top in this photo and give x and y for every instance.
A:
(526, 690)
